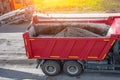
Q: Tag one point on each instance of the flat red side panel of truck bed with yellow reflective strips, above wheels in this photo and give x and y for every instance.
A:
(70, 48)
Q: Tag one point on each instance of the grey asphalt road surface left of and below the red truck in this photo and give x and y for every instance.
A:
(14, 64)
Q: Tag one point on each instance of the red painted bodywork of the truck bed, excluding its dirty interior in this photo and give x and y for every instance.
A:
(87, 48)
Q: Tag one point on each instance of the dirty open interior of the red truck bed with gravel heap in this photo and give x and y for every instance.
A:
(71, 30)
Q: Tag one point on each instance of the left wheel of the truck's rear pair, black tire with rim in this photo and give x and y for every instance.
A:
(51, 68)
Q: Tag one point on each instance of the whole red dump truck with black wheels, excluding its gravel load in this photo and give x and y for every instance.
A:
(73, 55)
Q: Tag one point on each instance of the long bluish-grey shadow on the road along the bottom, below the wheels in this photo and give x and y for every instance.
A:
(20, 75)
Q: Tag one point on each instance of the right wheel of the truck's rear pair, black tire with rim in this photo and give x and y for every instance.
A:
(72, 68)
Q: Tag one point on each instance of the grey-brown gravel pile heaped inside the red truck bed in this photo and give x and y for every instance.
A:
(76, 32)
